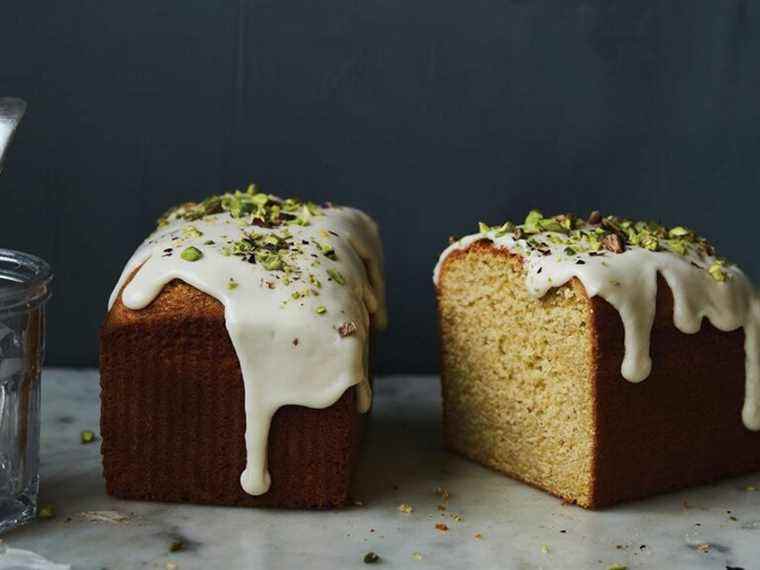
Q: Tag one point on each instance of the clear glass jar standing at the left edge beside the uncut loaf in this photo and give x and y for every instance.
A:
(24, 289)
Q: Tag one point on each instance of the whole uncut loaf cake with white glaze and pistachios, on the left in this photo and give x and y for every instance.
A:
(235, 354)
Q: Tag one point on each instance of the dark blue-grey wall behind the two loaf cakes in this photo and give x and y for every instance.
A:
(428, 114)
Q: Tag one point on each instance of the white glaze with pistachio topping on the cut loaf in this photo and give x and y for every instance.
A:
(619, 260)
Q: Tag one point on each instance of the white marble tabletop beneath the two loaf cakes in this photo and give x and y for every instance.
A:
(403, 463)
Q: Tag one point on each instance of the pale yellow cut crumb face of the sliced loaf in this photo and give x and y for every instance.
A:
(516, 372)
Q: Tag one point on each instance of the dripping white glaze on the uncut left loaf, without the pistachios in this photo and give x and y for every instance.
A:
(263, 319)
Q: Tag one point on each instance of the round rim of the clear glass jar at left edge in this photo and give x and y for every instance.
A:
(24, 280)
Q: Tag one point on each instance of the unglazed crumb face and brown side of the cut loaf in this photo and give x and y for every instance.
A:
(518, 401)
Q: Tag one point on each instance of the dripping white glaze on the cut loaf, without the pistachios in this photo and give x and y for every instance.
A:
(628, 281)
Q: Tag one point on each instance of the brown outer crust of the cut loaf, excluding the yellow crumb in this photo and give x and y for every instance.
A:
(681, 426)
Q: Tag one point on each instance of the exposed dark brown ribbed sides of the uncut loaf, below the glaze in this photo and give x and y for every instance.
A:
(173, 420)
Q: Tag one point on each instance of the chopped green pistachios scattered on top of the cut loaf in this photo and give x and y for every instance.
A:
(602, 235)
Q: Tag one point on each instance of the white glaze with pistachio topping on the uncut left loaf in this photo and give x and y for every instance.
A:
(298, 282)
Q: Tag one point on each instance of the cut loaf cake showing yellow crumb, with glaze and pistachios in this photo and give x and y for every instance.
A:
(575, 357)
